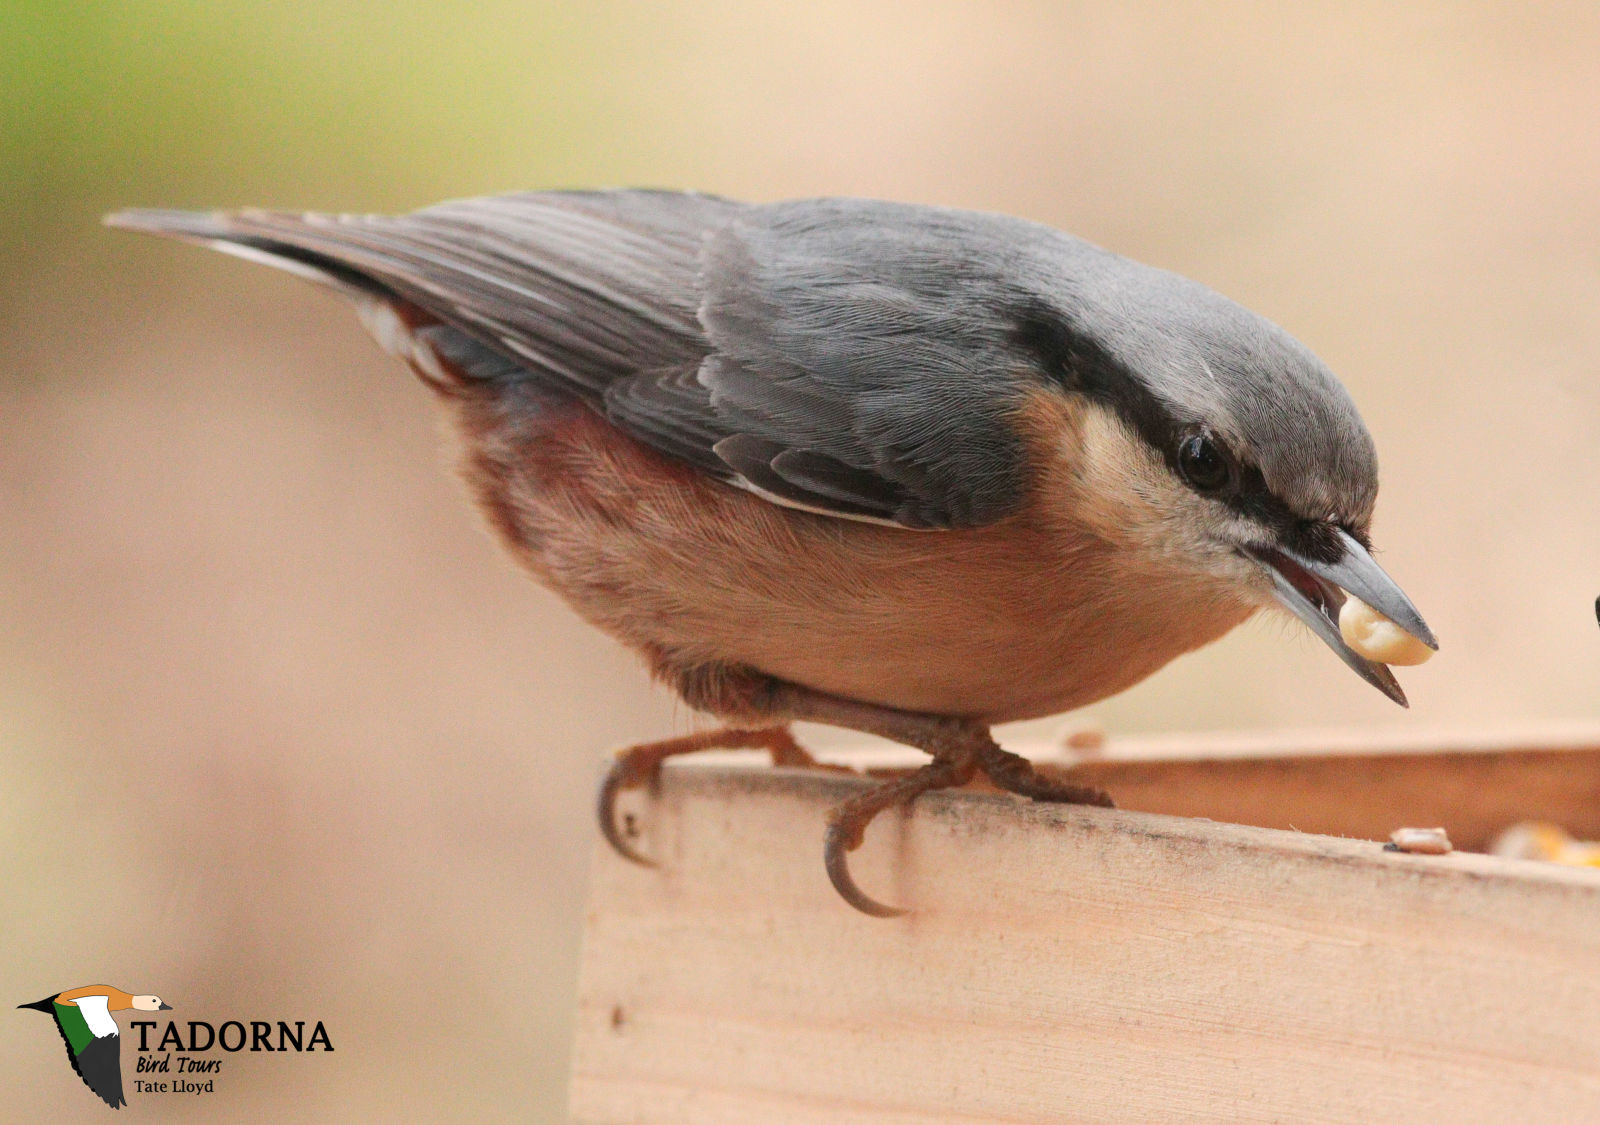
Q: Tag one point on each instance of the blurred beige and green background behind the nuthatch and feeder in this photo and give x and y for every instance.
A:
(284, 737)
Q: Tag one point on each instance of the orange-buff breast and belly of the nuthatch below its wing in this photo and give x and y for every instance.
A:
(1020, 620)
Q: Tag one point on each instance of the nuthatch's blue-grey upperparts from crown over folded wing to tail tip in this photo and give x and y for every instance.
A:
(849, 356)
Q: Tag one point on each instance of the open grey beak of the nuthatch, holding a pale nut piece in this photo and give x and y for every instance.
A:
(1314, 591)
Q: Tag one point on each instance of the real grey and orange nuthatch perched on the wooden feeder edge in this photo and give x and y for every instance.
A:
(903, 470)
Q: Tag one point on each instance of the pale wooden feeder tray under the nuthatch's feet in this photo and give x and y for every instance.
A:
(1071, 964)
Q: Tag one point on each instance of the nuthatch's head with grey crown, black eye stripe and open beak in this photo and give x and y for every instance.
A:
(1215, 446)
